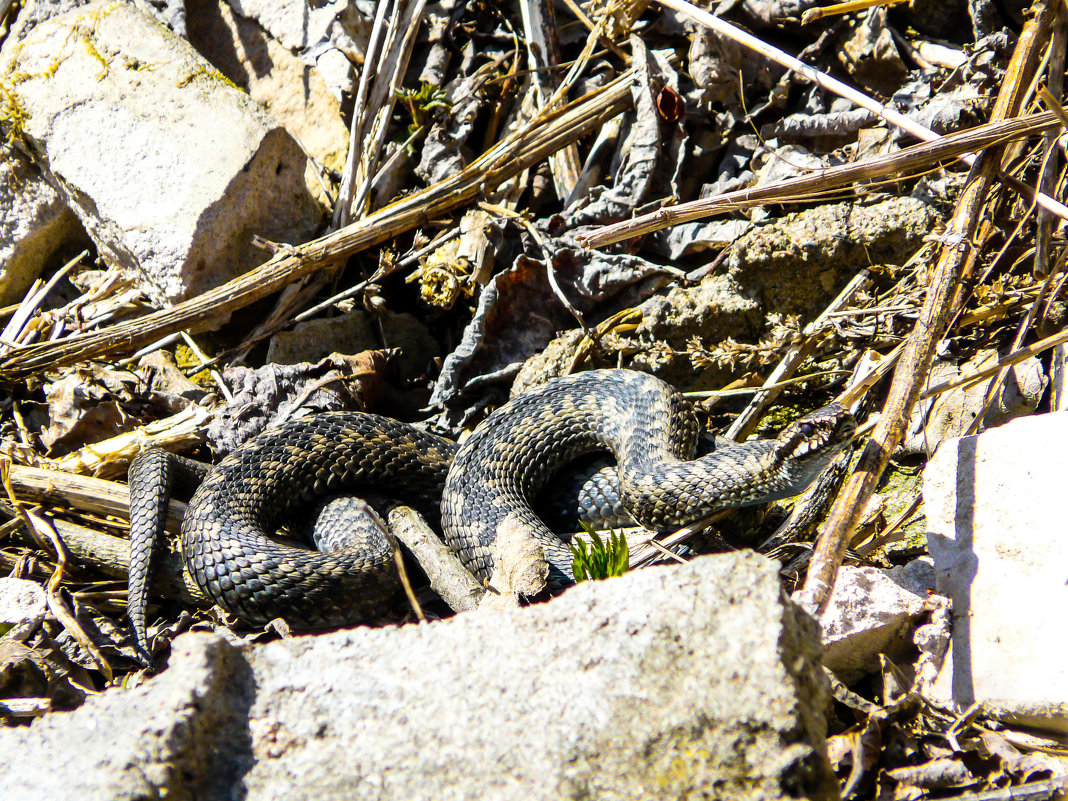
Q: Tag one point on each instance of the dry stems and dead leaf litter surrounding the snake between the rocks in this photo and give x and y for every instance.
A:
(532, 192)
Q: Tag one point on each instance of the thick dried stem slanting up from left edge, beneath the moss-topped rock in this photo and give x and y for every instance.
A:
(523, 149)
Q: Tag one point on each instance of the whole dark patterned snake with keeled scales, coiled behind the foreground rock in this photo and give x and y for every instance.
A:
(483, 485)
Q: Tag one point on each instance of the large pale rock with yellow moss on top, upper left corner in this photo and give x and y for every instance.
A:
(170, 168)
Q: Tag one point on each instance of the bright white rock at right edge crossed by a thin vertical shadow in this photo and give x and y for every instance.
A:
(997, 535)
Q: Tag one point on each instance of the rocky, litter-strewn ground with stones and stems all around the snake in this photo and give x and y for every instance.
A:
(218, 215)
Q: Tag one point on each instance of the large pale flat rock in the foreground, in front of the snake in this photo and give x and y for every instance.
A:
(694, 682)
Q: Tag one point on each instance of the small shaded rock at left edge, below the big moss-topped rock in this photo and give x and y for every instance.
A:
(35, 224)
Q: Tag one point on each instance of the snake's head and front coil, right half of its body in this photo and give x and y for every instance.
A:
(651, 431)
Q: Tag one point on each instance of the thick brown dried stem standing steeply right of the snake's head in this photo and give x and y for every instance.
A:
(915, 364)
